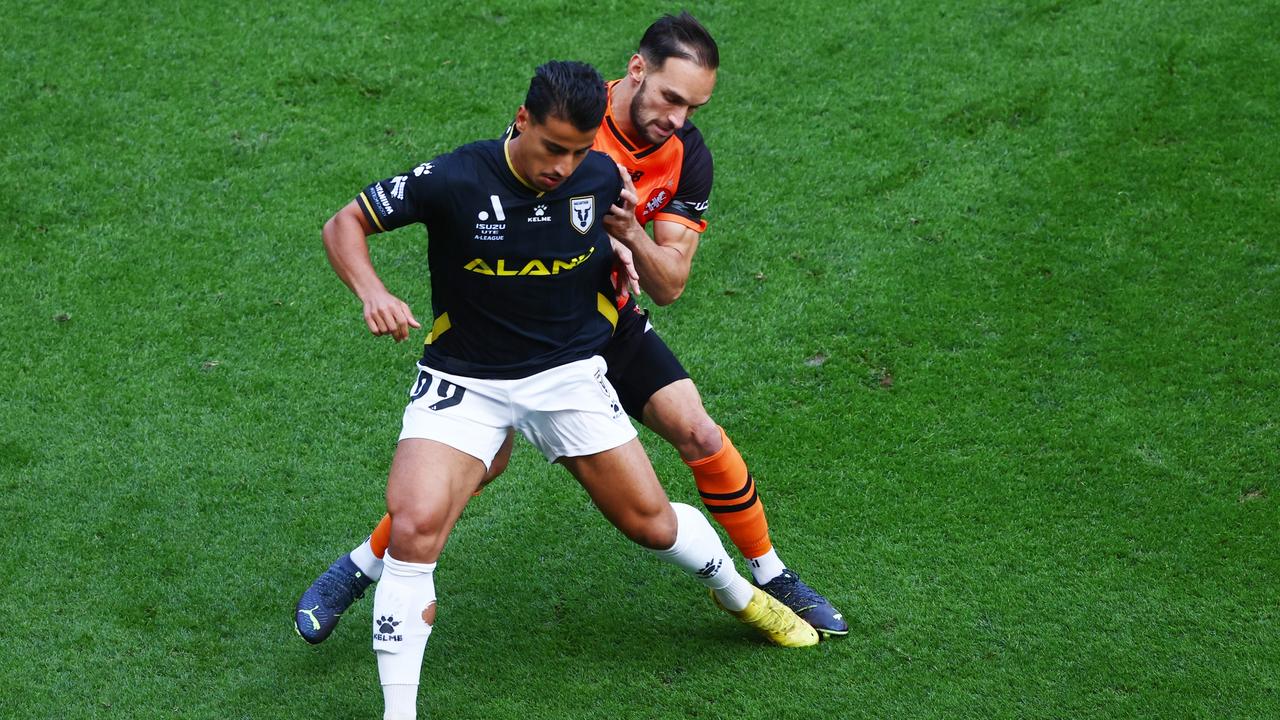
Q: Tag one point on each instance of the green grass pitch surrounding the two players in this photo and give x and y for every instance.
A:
(990, 302)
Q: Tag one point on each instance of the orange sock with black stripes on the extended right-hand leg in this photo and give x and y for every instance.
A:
(729, 493)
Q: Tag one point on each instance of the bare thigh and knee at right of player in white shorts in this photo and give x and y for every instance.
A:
(624, 486)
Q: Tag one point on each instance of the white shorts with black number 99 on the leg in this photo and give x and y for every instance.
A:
(566, 412)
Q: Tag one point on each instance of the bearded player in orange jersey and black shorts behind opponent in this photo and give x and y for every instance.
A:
(669, 175)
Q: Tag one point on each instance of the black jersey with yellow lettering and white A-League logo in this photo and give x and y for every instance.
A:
(520, 280)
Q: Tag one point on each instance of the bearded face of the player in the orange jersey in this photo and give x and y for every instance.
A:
(669, 97)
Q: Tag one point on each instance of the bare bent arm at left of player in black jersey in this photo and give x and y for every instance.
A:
(345, 241)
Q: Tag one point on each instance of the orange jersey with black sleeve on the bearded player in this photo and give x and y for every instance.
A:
(674, 180)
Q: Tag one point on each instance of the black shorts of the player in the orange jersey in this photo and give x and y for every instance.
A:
(641, 363)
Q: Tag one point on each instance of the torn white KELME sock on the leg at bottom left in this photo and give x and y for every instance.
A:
(400, 632)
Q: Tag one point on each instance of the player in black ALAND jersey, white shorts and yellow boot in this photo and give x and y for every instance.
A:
(523, 303)
